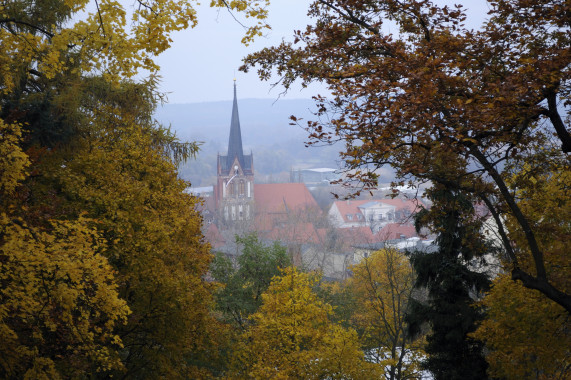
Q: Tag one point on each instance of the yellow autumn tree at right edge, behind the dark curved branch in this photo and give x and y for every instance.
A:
(526, 335)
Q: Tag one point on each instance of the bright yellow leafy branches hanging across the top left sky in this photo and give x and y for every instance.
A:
(107, 41)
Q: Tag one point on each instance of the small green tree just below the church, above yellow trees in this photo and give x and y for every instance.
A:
(243, 285)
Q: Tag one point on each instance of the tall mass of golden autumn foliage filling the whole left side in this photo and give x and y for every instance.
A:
(101, 255)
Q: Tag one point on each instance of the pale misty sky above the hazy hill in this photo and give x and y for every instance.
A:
(203, 61)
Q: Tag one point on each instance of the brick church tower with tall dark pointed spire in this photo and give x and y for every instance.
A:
(235, 171)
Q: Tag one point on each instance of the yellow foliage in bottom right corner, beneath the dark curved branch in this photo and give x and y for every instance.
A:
(528, 336)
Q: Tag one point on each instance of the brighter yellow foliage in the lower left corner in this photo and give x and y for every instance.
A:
(59, 301)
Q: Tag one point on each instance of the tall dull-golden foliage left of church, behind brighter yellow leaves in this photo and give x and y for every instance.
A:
(121, 176)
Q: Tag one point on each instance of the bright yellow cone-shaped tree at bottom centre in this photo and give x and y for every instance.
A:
(292, 337)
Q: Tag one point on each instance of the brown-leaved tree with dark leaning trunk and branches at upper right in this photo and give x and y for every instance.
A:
(484, 99)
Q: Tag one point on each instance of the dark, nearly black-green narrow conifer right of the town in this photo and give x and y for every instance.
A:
(454, 278)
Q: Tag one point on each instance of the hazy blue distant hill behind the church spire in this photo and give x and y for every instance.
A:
(277, 146)
